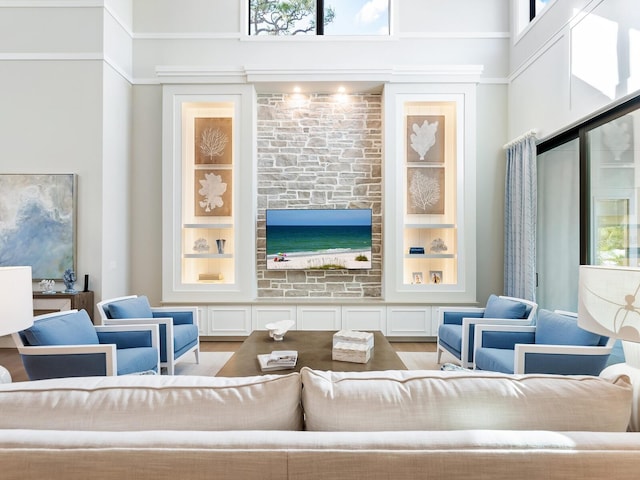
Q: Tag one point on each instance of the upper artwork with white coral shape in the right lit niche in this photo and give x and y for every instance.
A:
(425, 138)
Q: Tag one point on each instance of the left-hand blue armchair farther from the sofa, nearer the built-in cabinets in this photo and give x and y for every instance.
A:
(178, 326)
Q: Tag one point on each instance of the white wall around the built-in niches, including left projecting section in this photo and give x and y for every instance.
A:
(66, 67)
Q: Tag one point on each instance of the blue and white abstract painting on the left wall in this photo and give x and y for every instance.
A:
(38, 223)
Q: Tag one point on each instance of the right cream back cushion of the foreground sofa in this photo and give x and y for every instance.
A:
(465, 400)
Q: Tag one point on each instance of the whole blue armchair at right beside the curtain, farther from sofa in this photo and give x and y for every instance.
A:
(456, 324)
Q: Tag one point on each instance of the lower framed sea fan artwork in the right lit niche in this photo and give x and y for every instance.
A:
(425, 190)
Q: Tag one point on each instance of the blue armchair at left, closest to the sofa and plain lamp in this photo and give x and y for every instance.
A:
(67, 344)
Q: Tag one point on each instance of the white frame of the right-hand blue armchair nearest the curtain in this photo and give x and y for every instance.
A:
(467, 322)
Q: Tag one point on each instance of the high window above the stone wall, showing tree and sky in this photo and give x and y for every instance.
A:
(318, 17)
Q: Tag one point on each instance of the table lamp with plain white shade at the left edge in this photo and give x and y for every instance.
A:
(16, 306)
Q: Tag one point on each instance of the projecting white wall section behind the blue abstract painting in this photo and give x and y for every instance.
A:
(66, 108)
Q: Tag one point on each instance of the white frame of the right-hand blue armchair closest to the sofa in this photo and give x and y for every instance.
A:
(521, 349)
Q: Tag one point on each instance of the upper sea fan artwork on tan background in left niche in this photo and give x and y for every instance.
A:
(213, 141)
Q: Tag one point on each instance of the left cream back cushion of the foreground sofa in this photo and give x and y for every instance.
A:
(149, 402)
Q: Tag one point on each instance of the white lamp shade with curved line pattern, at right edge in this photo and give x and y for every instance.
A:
(609, 301)
